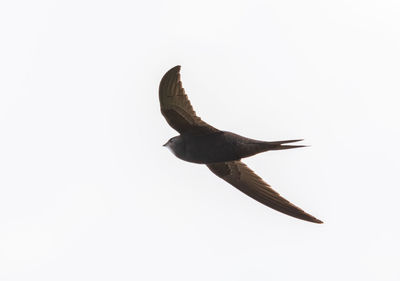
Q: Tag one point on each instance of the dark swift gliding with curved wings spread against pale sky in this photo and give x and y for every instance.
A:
(221, 151)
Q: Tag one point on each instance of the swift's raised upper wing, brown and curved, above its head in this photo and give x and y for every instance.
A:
(176, 107)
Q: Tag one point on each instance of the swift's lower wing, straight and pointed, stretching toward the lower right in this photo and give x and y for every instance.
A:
(240, 176)
